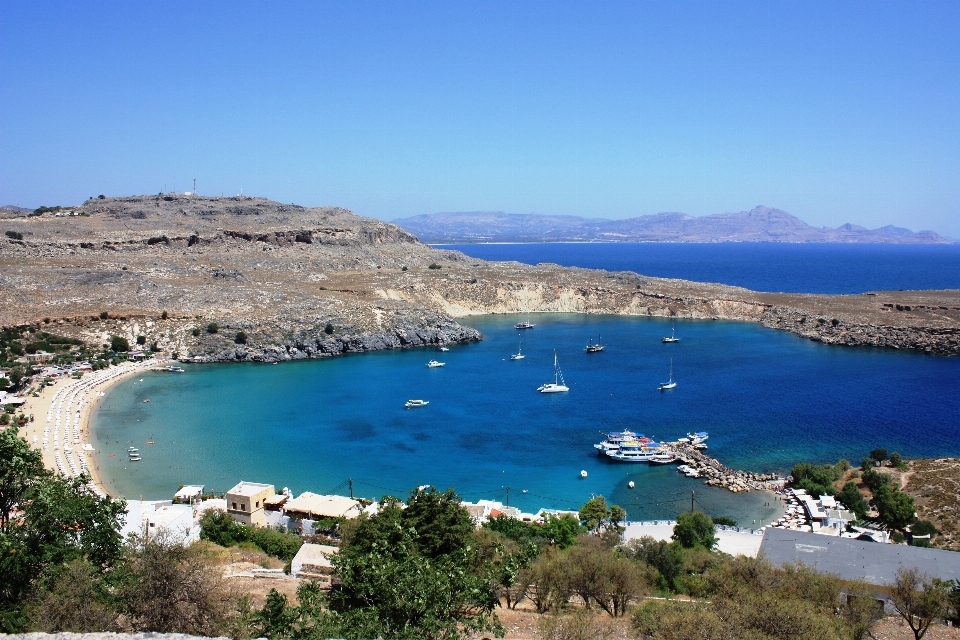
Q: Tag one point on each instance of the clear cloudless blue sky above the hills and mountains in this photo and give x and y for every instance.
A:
(835, 111)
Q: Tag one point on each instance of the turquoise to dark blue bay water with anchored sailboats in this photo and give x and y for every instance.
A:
(768, 399)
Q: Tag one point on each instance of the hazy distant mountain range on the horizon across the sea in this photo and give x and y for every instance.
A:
(760, 224)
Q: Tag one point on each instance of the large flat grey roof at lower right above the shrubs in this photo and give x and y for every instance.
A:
(851, 559)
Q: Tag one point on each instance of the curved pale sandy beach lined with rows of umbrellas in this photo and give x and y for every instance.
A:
(61, 419)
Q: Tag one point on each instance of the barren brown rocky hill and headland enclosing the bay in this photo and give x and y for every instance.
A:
(310, 282)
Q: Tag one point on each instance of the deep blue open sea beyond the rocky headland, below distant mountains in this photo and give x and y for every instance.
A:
(761, 266)
